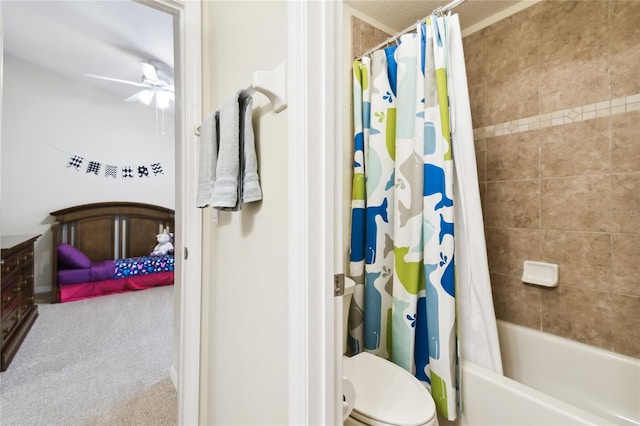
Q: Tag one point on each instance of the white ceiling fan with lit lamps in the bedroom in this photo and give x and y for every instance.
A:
(154, 86)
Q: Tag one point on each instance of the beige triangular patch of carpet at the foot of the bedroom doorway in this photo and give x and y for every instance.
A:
(156, 405)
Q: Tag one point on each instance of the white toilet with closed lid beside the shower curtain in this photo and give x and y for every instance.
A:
(378, 392)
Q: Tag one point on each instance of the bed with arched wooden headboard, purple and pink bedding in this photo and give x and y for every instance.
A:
(105, 248)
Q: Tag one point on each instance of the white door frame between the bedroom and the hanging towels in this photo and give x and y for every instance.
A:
(185, 370)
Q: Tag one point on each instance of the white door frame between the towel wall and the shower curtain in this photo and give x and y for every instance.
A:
(315, 128)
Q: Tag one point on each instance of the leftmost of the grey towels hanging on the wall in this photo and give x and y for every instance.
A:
(208, 156)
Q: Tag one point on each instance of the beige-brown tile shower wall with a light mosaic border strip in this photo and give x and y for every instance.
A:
(555, 99)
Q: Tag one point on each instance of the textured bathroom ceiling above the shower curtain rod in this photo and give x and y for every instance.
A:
(401, 14)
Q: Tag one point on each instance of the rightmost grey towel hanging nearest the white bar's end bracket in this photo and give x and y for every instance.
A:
(251, 190)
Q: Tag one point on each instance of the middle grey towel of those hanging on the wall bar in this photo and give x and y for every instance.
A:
(225, 189)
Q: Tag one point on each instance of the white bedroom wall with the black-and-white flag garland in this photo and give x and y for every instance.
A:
(46, 119)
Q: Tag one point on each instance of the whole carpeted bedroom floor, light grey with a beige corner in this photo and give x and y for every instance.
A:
(100, 361)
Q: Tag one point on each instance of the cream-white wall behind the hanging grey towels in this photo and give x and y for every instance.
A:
(244, 346)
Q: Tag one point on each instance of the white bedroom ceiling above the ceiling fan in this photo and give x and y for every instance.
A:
(74, 38)
